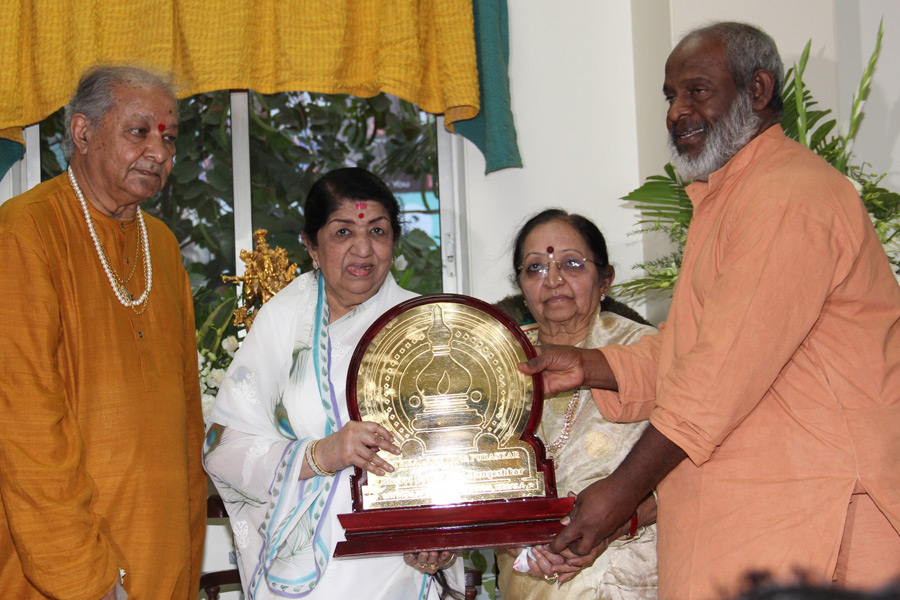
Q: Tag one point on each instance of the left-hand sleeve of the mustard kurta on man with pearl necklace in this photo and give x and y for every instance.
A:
(46, 492)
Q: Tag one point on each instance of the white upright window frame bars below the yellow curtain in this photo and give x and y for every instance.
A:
(451, 167)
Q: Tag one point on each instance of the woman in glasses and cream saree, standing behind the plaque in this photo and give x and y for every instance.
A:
(562, 268)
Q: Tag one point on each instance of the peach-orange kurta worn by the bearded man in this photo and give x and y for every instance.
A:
(778, 372)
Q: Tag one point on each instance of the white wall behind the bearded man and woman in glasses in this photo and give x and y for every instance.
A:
(586, 78)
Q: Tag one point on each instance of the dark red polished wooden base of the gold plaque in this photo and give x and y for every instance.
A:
(489, 524)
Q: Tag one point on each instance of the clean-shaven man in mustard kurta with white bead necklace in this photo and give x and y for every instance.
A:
(101, 429)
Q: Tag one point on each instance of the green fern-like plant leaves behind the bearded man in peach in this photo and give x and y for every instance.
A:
(666, 208)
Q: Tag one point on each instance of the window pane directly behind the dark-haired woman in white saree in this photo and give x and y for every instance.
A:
(296, 136)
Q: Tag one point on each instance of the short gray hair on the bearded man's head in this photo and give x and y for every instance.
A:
(748, 49)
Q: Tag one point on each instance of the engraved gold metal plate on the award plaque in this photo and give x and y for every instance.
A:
(441, 376)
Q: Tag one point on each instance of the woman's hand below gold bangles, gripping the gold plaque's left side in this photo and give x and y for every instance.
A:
(357, 444)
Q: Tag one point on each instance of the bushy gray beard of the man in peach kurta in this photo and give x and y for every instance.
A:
(723, 140)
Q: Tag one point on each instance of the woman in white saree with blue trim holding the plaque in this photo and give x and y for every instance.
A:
(281, 444)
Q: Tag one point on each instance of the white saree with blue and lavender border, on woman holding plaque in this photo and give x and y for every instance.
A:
(284, 389)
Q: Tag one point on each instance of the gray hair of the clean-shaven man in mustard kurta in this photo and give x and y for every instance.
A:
(94, 95)
